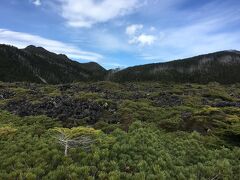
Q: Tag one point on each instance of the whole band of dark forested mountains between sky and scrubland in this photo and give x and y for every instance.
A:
(36, 64)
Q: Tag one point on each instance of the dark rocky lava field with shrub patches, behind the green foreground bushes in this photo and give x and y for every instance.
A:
(207, 109)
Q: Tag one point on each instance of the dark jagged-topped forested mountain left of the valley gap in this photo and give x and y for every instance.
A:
(35, 64)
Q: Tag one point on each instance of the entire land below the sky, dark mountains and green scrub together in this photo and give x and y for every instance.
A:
(60, 119)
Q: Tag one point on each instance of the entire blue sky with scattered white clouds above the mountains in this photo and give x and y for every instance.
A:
(121, 33)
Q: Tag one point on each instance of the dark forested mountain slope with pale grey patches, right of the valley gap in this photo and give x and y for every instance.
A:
(222, 67)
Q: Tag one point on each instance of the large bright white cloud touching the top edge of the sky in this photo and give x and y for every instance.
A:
(85, 13)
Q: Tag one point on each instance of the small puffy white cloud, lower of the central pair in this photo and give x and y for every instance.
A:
(143, 39)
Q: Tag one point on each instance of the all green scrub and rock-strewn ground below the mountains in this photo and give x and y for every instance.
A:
(119, 131)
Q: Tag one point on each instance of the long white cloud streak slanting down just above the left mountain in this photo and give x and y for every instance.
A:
(22, 40)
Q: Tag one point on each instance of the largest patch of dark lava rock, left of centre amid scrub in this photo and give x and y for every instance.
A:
(62, 108)
